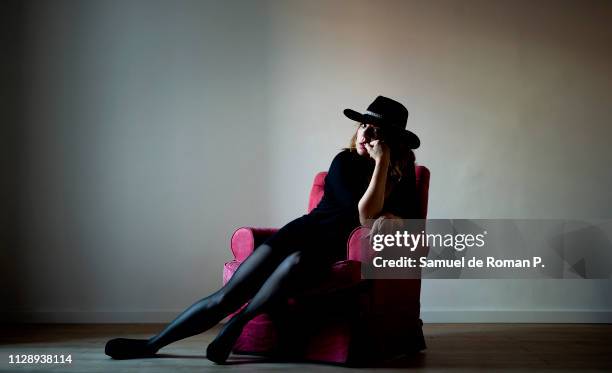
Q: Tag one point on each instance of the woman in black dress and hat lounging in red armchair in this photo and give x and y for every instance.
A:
(374, 177)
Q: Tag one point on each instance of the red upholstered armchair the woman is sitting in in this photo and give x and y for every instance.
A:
(347, 319)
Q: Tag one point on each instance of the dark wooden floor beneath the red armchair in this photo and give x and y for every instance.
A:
(451, 347)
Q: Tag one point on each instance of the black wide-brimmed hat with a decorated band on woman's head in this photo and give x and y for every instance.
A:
(389, 115)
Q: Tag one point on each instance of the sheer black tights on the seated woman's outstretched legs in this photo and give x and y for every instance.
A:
(265, 277)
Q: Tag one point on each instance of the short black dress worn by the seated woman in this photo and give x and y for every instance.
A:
(323, 233)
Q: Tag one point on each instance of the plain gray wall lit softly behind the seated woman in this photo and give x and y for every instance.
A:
(151, 130)
